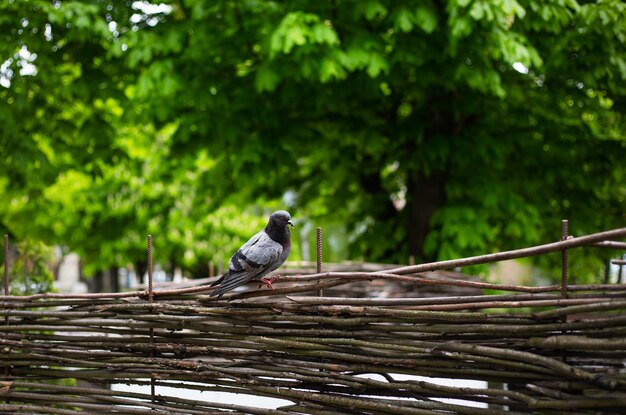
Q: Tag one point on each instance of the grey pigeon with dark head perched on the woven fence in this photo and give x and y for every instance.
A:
(262, 254)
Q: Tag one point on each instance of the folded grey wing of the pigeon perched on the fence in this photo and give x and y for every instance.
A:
(255, 258)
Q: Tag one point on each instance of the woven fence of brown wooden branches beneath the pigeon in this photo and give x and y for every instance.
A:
(542, 350)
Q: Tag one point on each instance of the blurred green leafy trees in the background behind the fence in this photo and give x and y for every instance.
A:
(408, 130)
